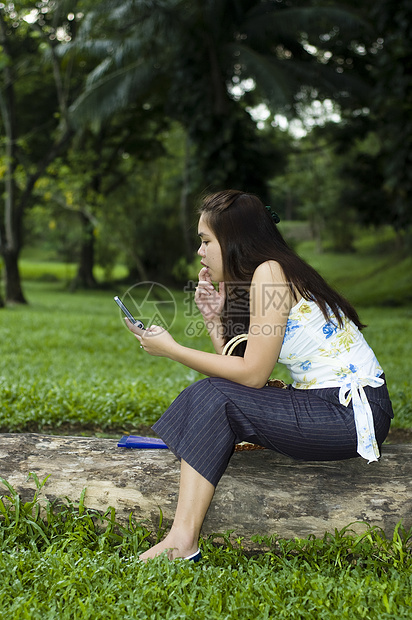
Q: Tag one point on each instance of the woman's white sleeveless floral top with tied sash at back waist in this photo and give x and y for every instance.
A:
(320, 354)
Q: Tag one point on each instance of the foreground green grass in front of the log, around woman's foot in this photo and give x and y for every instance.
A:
(69, 562)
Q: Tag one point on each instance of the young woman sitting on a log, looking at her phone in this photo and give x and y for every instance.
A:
(338, 406)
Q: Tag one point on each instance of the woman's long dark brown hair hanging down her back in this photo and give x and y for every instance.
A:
(248, 236)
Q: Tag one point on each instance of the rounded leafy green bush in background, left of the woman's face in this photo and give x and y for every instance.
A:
(126, 190)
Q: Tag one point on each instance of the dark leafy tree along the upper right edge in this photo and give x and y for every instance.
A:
(376, 140)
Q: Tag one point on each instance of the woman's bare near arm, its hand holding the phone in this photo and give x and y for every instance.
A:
(270, 303)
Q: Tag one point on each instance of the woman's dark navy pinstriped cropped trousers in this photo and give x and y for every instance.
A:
(209, 417)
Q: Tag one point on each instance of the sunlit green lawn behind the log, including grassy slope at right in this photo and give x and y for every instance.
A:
(67, 363)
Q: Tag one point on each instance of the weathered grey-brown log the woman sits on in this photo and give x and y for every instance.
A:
(262, 492)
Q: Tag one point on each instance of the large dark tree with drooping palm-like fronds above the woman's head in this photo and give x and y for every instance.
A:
(193, 55)
